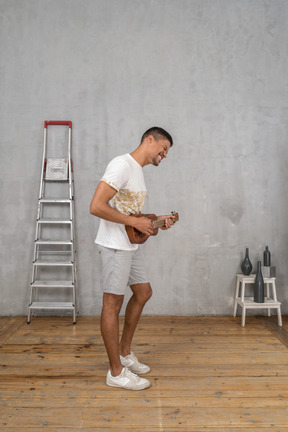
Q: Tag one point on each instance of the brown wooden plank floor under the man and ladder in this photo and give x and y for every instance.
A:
(208, 374)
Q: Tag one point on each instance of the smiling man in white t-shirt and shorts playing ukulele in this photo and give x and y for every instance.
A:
(120, 194)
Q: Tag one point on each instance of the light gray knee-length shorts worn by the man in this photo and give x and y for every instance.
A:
(121, 268)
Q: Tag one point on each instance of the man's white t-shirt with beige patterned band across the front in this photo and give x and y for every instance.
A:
(125, 175)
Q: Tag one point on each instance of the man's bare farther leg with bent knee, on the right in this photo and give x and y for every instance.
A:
(141, 294)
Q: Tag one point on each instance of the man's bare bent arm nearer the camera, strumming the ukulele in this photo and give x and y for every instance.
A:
(99, 207)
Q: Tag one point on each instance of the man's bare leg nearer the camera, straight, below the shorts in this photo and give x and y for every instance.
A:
(110, 330)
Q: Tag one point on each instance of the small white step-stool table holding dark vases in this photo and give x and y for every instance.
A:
(248, 302)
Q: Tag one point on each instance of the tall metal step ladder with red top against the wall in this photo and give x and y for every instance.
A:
(53, 280)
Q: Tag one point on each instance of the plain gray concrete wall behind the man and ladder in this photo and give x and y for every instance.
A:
(214, 73)
